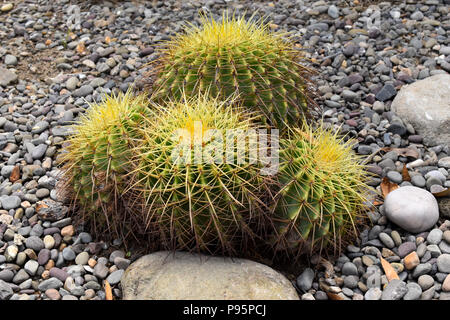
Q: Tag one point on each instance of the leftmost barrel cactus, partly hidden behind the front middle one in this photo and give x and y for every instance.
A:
(96, 159)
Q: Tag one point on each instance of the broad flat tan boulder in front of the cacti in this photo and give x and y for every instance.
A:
(180, 276)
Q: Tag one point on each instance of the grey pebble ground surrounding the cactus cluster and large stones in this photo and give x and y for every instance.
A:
(48, 73)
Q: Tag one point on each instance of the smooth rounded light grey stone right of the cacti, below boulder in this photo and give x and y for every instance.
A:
(411, 208)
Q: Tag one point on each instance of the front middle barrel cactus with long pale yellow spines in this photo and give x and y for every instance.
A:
(205, 204)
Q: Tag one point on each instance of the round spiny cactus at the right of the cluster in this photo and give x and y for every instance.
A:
(323, 192)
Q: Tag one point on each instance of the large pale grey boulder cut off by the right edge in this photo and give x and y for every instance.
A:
(425, 104)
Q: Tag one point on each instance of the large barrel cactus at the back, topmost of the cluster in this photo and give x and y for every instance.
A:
(238, 56)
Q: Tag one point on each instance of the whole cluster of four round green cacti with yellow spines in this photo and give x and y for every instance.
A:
(132, 166)
